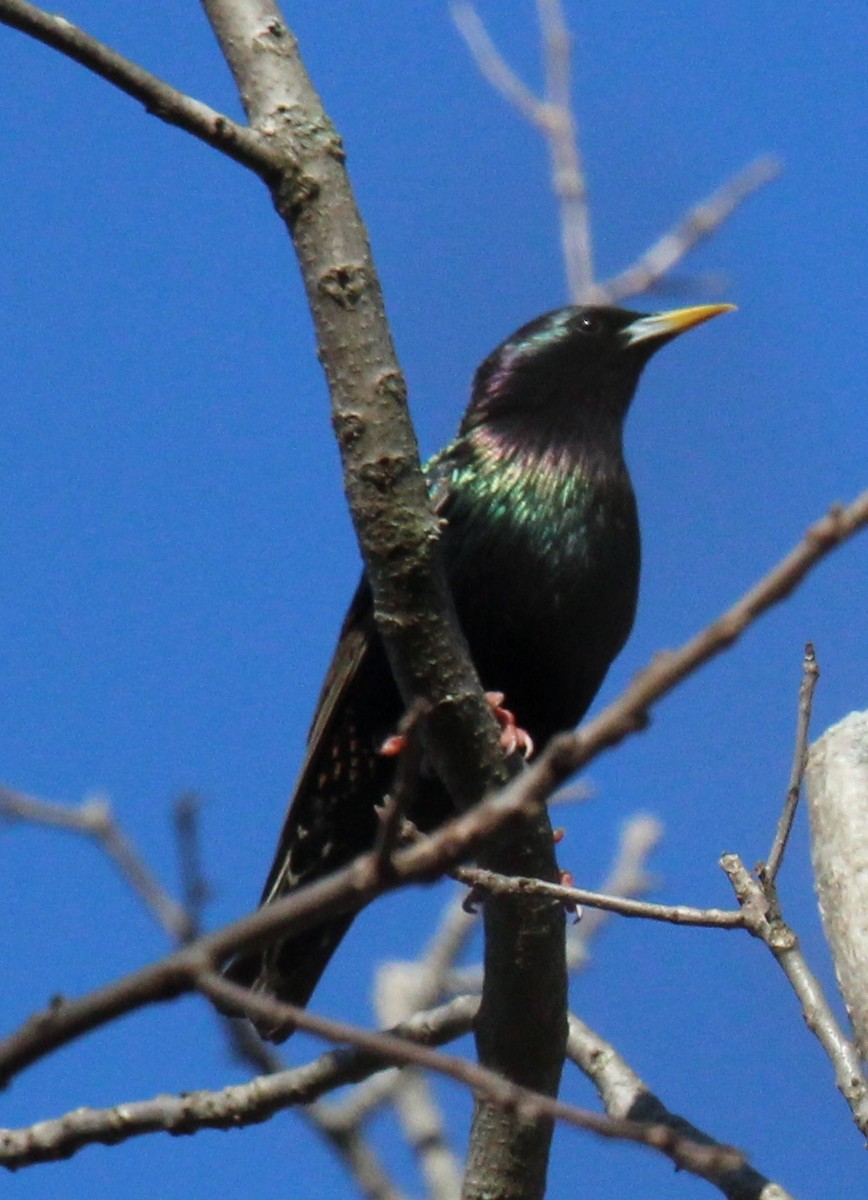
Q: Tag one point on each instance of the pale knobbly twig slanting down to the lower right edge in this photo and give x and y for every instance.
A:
(764, 921)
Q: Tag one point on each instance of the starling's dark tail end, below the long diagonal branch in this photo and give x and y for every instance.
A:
(289, 971)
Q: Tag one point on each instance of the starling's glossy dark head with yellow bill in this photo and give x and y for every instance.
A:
(573, 369)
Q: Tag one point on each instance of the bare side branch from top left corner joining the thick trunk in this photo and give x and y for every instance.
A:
(159, 98)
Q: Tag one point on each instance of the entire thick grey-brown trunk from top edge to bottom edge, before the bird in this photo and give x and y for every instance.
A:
(397, 530)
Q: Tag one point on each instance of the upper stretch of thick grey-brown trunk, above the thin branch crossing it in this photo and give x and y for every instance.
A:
(387, 494)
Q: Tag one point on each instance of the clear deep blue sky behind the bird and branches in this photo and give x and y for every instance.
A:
(178, 555)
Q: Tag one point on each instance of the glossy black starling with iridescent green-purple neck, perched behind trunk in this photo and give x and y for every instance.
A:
(541, 545)
